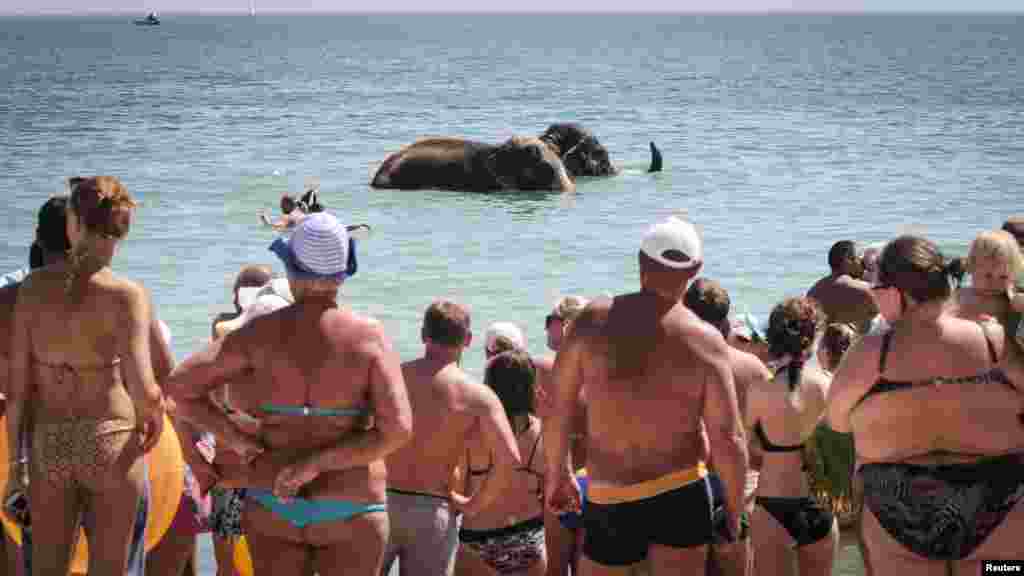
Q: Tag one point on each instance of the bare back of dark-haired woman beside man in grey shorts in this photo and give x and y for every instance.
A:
(522, 499)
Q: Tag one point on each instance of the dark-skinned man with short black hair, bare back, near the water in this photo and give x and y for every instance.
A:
(844, 297)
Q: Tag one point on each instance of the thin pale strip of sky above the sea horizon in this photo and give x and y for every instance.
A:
(265, 7)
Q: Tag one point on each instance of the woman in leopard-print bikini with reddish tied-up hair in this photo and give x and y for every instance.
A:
(81, 373)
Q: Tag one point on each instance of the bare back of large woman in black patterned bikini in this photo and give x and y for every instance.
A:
(940, 396)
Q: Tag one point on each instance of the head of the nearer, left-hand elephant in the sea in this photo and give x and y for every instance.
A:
(528, 163)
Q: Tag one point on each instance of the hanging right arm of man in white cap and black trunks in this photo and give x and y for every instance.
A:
(726, 431)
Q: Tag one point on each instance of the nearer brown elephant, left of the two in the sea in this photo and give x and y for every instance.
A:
(520, 163)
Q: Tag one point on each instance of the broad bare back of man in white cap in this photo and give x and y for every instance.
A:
(646, 374)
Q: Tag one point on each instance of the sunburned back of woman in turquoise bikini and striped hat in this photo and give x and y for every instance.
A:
(310, 387)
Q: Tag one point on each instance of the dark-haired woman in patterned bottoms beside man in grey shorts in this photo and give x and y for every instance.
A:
(508, 538)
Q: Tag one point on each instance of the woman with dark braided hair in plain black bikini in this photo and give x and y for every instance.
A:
(783, 416)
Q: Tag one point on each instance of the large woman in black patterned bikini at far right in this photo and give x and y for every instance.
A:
(936, 426)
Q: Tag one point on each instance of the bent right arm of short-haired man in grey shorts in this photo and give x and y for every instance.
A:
(500, 441)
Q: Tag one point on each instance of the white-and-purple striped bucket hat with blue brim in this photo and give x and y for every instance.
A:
(319, 250)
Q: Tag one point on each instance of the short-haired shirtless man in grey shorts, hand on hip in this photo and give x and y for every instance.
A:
(449, 407)
